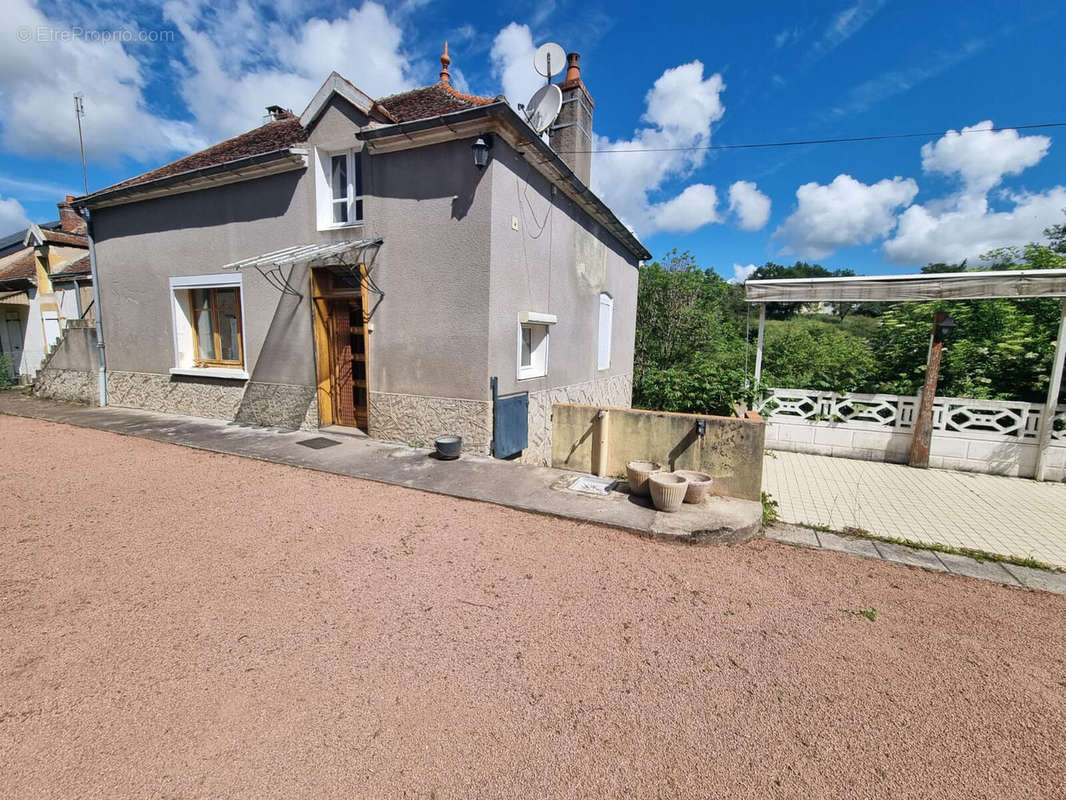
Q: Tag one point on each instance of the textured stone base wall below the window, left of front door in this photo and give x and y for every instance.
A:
(267, 405)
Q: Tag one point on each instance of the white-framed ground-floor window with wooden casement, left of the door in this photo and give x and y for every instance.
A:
(208, 314)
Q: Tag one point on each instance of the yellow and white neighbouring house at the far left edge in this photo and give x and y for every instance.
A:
(45, 282)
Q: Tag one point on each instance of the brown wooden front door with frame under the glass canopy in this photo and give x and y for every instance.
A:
(343, 349)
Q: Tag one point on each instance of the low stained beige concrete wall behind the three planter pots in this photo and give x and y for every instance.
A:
(731, 451)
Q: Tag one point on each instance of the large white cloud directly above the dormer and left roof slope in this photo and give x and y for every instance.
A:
(239, 65)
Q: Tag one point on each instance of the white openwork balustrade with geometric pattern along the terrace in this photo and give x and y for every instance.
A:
(1000, 420)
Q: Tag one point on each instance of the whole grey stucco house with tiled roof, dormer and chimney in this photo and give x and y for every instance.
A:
(356, 267)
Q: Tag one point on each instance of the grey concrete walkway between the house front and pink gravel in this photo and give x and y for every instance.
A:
(539, 490)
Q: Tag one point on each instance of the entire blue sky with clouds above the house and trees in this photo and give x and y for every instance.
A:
(670, 76)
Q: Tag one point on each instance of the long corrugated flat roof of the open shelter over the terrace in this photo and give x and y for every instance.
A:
(975, 285)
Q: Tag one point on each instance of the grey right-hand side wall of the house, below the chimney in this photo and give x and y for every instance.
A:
(557, 263)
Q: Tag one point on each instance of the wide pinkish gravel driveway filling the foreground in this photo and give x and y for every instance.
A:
(182, 625)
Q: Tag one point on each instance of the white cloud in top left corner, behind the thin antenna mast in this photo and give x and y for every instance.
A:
(39, 79)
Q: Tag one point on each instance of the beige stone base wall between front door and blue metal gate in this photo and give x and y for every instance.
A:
(412, 419)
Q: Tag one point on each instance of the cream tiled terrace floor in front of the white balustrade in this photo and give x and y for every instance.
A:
(1010, 517)
